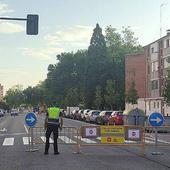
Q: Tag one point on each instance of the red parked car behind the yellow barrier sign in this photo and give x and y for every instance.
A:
(116, 118)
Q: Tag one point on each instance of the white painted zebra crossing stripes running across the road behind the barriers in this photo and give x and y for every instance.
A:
(10, 141)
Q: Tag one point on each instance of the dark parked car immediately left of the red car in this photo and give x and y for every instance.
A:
(103, 117)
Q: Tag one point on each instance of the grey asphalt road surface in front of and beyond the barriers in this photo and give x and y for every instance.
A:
(13, 155)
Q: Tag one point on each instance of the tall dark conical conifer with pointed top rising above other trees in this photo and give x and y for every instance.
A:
(97, 66)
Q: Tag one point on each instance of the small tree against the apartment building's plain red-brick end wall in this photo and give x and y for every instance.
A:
(132, 96)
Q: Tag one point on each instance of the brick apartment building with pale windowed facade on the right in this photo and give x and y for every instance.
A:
(153, 64)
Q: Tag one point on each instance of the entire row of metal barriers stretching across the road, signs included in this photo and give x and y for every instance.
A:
(118, 136)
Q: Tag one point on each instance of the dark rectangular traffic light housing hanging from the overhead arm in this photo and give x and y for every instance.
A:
(32, 24)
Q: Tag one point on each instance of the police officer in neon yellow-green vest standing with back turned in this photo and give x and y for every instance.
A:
(53, 121)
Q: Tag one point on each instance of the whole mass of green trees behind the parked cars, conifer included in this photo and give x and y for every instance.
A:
(90, 78)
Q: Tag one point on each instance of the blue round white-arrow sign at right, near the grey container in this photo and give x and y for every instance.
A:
(156, 119)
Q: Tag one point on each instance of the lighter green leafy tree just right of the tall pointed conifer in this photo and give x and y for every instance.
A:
(118, 45)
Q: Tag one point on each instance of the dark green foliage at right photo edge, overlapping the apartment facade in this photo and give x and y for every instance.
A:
(166, 91)
